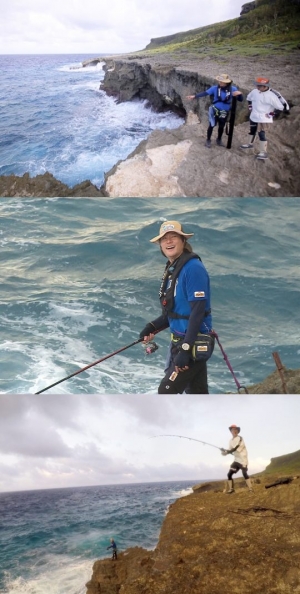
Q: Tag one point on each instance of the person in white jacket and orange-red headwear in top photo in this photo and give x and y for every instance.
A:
(263, 103)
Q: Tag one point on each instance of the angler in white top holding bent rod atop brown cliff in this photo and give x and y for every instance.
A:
(238, 448)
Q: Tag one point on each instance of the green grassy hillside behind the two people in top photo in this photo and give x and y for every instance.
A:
(270, 25)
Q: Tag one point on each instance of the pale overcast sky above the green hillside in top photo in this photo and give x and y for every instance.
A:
(108, 26)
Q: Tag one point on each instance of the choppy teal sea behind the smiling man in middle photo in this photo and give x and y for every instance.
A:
(80, 279)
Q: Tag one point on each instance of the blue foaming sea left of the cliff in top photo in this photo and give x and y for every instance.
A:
(54, 117)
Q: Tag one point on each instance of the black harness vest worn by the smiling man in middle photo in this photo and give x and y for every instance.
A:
(166, 295)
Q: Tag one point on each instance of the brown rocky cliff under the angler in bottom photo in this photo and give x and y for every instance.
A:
(214, 543)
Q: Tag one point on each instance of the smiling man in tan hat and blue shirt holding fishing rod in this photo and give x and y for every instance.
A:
(185, 298)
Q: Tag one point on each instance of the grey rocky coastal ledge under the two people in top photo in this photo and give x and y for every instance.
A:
(175, 163)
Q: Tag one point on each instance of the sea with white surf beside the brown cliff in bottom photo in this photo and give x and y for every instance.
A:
(51, 538)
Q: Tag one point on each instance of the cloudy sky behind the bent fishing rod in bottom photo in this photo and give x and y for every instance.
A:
(64, 440)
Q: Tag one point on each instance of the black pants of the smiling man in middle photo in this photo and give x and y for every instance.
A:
(192, 381)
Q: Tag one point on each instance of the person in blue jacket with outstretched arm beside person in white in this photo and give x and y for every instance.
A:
(218, 112)
